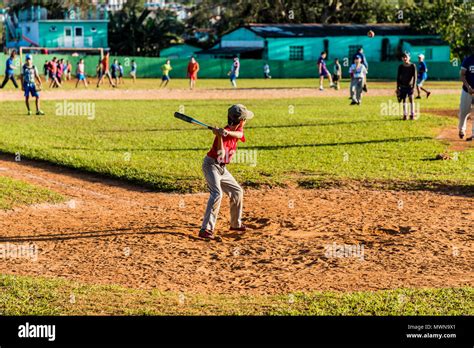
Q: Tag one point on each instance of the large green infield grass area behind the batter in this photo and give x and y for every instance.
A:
(310, 141)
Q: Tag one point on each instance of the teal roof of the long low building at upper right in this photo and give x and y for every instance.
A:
(322, 30)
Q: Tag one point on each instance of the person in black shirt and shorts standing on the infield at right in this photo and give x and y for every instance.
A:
(406, 80)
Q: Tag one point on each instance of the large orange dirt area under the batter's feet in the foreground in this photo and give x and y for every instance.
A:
(112, 233)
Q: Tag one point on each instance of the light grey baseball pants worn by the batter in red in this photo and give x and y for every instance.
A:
(220, 180)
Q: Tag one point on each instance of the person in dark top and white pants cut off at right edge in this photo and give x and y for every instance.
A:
(465, 107)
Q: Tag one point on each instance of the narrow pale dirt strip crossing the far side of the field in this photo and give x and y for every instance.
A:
(241, 93)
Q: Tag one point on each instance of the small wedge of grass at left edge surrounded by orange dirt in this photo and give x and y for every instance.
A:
(15, 193)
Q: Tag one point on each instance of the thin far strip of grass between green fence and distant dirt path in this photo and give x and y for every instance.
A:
(243, 83)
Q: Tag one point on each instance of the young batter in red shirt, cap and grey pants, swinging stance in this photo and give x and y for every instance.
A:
(219, 179)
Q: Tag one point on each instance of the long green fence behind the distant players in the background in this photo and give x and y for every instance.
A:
(250, 68)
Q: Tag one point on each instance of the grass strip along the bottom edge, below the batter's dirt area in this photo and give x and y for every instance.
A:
(42, 296)
